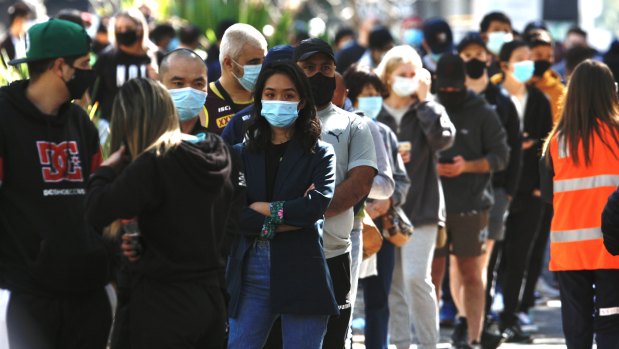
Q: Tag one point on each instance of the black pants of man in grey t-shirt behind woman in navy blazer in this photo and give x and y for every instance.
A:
(339, 267)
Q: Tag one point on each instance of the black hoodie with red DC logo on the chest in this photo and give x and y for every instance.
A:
(46, 247)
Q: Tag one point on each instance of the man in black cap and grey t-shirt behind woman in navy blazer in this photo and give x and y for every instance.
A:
(355, 170)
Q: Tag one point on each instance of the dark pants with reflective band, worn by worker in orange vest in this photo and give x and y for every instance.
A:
(587, 310)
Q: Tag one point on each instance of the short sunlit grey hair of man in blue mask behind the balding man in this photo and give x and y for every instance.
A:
(236, 37)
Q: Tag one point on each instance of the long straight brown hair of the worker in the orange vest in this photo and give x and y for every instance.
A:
(591, 100)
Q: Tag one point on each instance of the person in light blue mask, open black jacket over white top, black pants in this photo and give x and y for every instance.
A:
(526, 207)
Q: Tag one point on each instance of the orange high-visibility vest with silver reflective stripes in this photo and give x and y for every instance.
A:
(580, 194)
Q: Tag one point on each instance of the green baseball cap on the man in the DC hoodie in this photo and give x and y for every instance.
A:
(53, 39)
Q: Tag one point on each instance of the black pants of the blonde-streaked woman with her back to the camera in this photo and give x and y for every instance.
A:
(183, 315)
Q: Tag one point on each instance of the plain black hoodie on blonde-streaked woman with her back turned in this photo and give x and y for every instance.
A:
(182, 201)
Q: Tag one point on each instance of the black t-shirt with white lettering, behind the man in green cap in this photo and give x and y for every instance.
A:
(115, 67)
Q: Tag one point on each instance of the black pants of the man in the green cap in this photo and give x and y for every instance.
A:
(70, 322)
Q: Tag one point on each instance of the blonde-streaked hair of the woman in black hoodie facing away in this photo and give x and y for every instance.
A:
(144, 119)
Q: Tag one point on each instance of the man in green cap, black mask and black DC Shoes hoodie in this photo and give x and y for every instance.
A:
(54, 266)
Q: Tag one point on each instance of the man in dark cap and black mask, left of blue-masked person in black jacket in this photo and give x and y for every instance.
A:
(472, 49)
